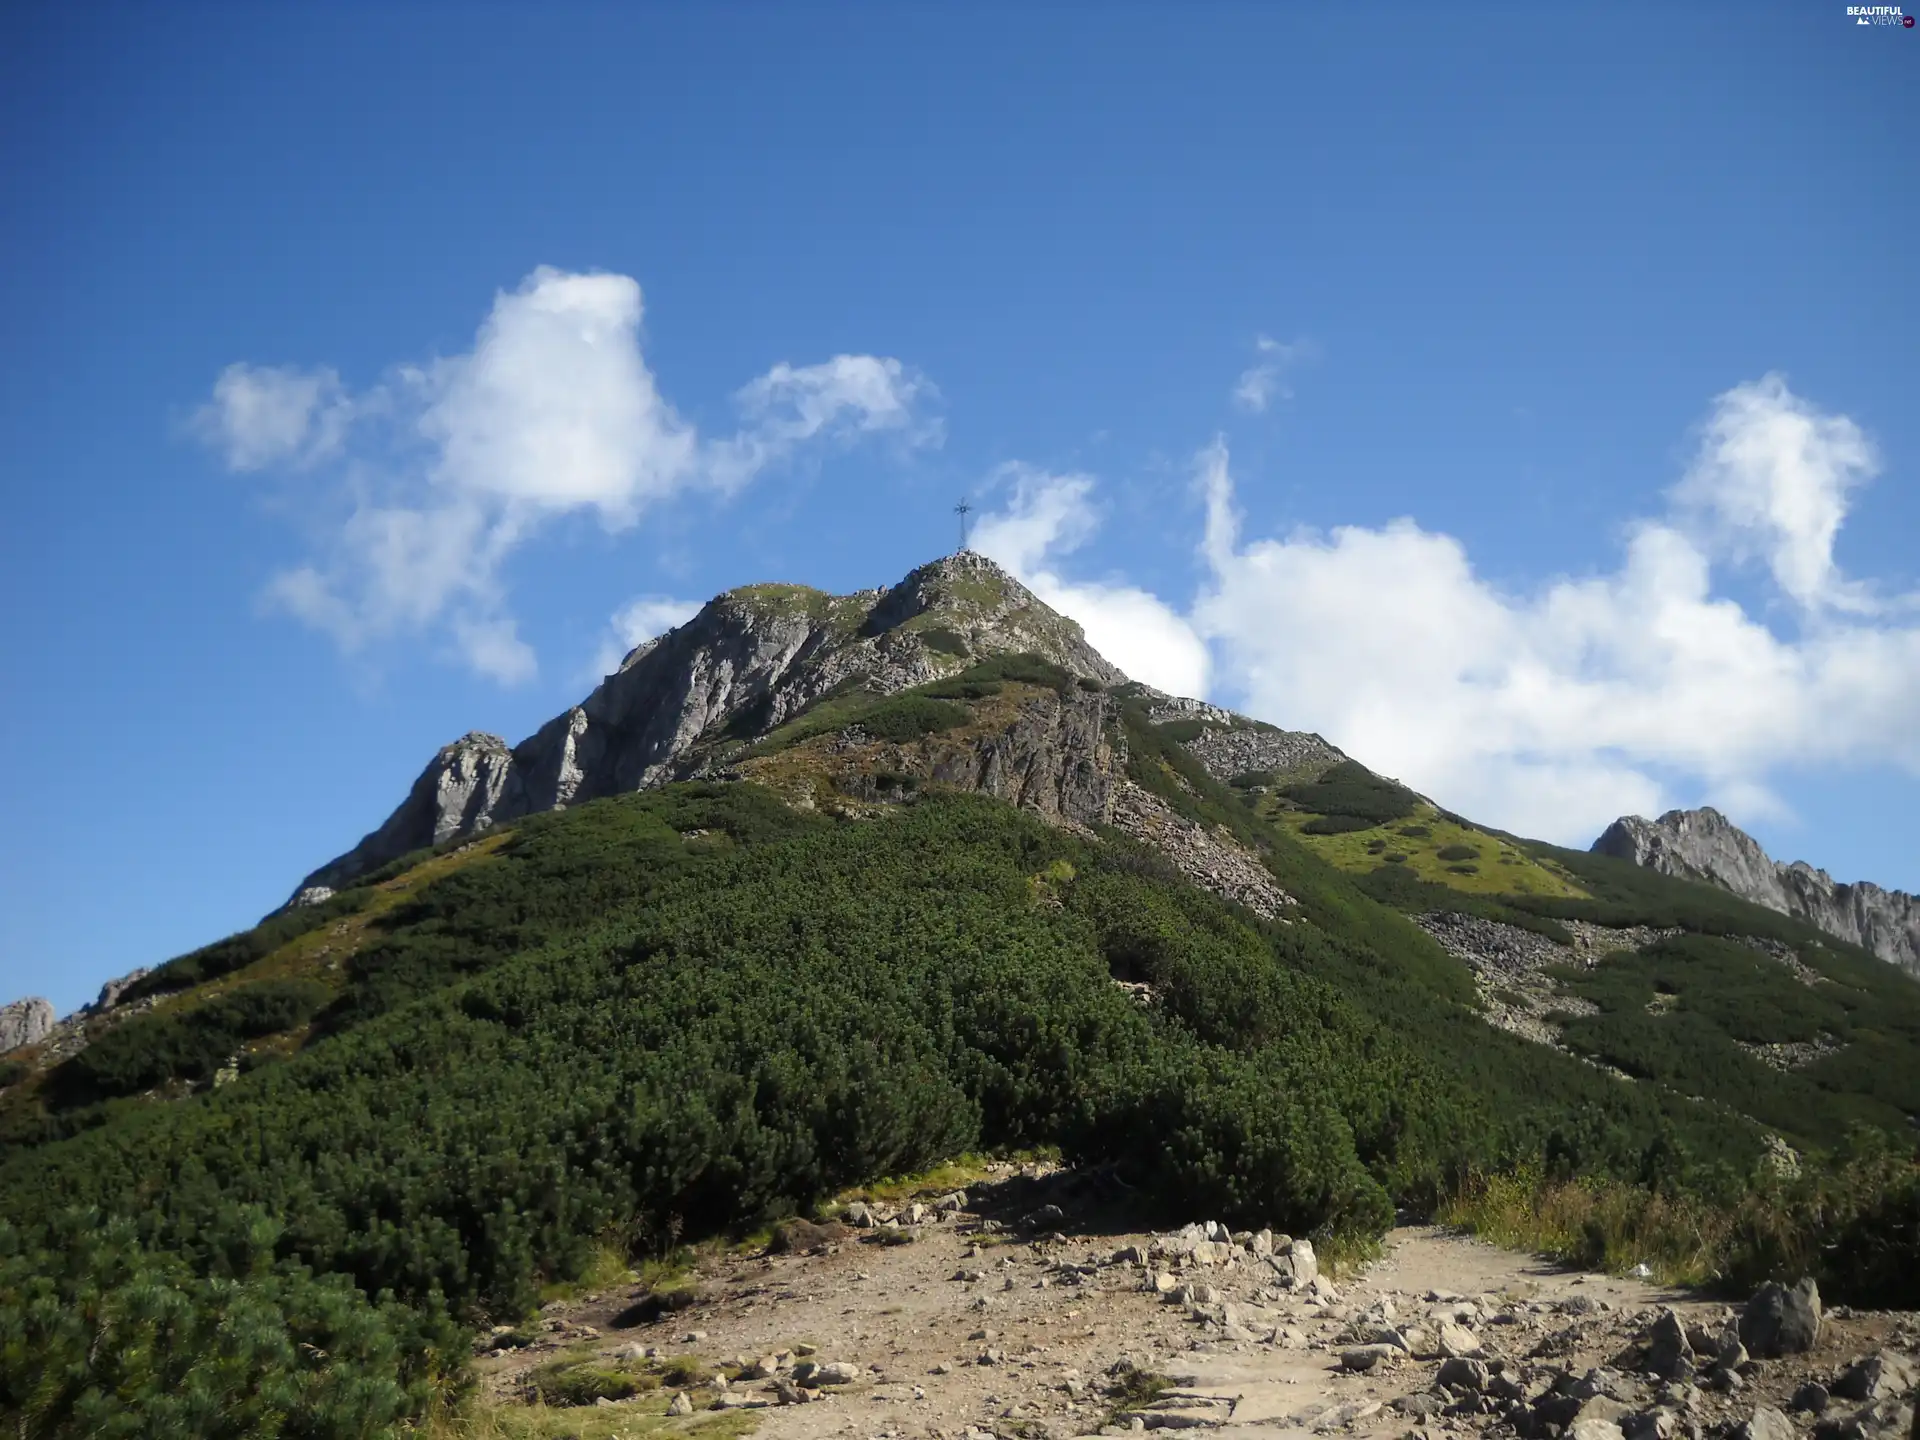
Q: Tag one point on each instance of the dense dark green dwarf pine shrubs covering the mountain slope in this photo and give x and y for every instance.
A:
(700, 1011)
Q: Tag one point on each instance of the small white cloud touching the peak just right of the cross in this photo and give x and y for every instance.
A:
(1051, 516)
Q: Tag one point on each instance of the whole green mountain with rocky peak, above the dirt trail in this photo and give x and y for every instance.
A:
(817, 890)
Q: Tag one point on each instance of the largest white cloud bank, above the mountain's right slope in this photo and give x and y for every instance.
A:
(1556, 709)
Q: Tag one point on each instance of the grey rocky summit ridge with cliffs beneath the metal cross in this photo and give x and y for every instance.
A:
(750, 661)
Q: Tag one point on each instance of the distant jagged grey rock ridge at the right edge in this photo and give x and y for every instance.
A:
(1708, 846)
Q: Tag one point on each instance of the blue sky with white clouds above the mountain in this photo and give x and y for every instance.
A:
(1524, 396)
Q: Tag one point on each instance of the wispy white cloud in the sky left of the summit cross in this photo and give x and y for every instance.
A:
(446, 469)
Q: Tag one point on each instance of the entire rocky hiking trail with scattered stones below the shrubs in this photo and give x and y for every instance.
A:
(1011, 1310)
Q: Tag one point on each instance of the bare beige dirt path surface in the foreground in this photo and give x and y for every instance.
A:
(988, 1326)
